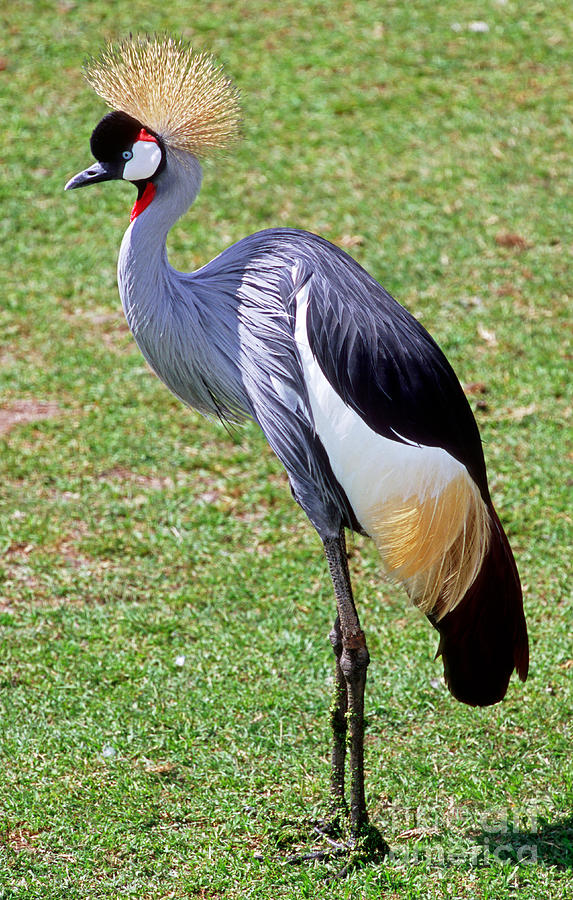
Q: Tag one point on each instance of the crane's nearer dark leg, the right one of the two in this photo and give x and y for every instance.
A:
(353, 663)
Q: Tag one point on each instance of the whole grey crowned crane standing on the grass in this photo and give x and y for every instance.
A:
(353, 395)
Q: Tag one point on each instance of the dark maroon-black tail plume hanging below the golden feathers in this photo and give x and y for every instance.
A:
(484, 638)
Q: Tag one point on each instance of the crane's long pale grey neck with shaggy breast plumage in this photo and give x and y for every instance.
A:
(182, 325)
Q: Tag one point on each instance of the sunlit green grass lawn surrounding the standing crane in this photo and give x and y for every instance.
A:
(164, 668)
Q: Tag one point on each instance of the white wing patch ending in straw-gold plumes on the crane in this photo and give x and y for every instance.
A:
(418, 503)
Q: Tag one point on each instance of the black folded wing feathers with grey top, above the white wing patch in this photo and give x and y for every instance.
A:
(384, 364)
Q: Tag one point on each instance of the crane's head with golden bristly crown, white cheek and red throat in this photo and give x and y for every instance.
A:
(166, 100)
